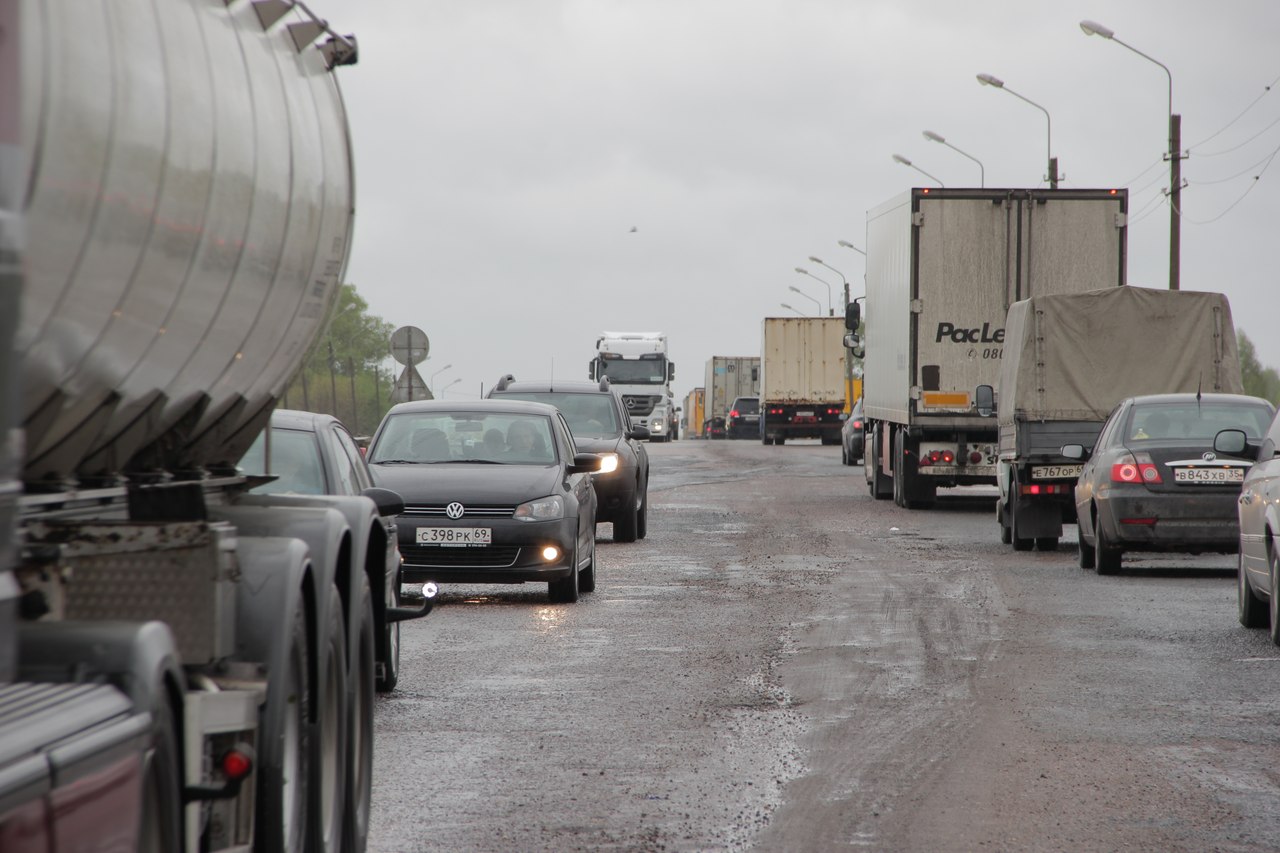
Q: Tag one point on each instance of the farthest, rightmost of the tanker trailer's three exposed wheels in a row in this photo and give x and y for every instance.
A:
(360, 792)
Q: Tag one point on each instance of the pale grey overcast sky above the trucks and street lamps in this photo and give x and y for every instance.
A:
(531, 174)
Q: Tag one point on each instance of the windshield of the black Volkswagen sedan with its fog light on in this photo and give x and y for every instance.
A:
(510, 439)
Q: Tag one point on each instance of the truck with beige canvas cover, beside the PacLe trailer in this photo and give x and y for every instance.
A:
(1069, 361)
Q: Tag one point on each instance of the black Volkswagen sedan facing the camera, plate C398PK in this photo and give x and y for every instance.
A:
(496, 491)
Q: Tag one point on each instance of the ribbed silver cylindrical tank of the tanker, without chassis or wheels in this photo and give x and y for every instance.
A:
(188, 232)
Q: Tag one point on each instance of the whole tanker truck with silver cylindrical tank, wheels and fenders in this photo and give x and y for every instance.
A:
(184, 665)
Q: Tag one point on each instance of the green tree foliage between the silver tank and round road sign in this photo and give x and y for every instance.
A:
(344, 372)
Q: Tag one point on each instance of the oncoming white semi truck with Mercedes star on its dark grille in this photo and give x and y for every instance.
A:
(638, 366)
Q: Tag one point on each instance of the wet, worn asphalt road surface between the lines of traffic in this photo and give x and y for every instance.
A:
(785, 664)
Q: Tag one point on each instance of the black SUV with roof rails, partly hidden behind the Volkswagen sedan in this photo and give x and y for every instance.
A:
(600, 422)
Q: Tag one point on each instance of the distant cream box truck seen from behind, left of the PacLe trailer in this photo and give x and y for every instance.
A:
(802, 378)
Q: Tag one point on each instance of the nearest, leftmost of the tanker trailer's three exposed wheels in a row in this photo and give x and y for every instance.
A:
(282, 820)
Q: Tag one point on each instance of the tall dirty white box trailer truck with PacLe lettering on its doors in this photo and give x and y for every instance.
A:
(943, 270)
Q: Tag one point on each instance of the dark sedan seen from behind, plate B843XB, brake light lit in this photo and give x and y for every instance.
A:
(1154, 481)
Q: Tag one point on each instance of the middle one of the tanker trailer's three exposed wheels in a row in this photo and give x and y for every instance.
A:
(330, 768)
